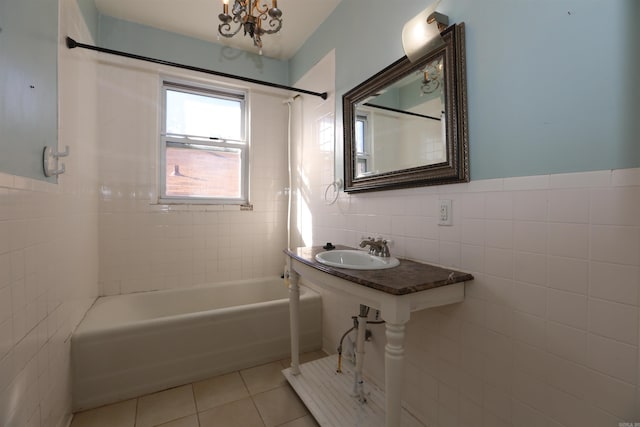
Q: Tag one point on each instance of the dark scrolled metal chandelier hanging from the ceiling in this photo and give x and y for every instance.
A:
(250, 15)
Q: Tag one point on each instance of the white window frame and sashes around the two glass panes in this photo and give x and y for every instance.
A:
(203, 142)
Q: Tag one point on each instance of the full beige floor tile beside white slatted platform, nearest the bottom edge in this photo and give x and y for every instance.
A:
(279, 406)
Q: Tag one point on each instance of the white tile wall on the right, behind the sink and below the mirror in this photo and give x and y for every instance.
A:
(548, 332)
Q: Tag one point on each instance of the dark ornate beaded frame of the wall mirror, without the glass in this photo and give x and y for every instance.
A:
(456, 168)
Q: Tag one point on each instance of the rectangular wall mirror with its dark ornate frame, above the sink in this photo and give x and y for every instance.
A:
(406, 126)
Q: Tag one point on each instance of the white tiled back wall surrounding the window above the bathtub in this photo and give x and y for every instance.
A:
(146, 246)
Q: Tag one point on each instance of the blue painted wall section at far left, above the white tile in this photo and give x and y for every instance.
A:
(28, 85)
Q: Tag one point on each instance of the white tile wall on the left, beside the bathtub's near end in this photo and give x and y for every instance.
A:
(49, 254)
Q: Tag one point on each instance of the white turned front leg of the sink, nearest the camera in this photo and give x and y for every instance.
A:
(393, 367)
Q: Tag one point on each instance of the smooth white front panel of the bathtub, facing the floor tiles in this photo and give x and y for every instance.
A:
(118, 364)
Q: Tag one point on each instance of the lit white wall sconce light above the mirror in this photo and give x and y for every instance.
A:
(421, 33)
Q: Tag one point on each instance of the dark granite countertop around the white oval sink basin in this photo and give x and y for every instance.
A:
(407, 278)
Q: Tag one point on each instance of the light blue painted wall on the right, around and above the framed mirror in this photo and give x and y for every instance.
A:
(552, 84)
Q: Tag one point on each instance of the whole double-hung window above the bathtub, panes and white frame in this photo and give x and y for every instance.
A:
(204, 149)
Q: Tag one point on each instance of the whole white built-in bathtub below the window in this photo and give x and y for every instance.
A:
(130, 345)
